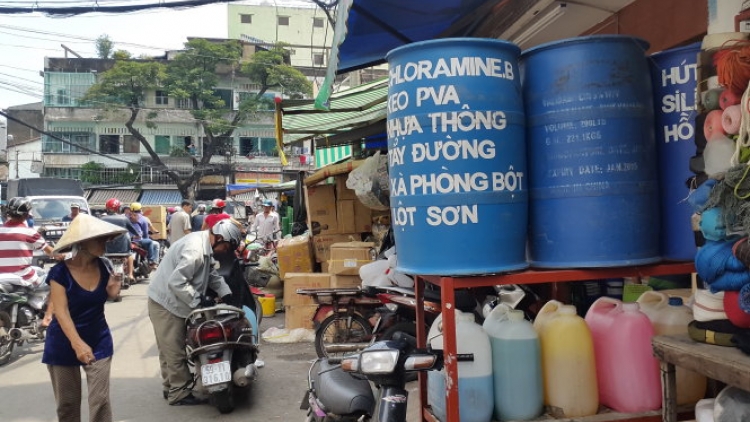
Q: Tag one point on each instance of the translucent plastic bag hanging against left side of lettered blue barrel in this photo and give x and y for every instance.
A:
(370, 182)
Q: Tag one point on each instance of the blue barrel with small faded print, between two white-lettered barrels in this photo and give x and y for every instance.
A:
(594, 197)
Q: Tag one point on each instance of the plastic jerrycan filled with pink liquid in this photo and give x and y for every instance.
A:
(627, 372)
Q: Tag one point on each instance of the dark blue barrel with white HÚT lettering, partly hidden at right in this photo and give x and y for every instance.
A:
(674, 79)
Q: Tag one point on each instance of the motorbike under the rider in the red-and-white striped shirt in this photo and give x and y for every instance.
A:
(22, 310)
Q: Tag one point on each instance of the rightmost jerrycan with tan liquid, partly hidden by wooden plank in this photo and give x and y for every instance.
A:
(670, 316)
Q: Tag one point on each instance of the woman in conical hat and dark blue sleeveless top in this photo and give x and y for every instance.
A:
(78, 335)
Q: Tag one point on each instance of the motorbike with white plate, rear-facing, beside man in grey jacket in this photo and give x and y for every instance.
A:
(223, 349)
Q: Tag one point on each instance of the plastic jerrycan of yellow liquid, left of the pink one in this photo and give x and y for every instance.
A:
(568, 365)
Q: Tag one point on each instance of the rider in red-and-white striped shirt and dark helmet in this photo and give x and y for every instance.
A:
(18, 242)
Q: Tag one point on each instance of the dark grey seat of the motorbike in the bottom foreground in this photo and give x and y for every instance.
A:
(340, 393)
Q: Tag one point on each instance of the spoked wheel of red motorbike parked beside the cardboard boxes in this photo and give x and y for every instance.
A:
(336, 329)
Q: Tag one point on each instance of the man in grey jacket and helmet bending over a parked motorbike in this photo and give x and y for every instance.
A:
(178, 287)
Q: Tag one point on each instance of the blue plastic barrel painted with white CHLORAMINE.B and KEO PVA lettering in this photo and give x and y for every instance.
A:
(457, 157)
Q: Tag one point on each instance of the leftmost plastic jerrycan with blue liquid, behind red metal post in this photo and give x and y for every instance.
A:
(475, 389)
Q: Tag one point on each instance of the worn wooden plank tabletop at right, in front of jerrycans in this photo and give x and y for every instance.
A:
(726, 364)
